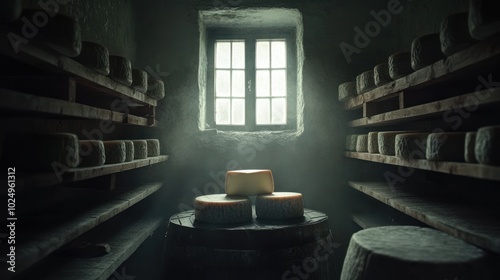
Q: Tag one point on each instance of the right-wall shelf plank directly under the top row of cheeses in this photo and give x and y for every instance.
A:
(476, 58)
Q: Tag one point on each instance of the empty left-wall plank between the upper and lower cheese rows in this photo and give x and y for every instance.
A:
(13, 100)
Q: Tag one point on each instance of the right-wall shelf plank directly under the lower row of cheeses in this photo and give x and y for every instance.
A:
(455, 168)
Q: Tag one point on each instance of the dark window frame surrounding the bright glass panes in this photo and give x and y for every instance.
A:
(250, 36)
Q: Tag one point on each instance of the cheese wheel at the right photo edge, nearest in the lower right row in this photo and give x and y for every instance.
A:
(487, 148)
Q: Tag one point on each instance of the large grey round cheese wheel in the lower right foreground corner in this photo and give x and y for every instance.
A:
(412, 253)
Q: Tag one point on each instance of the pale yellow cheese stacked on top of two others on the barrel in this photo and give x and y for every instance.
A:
(249, 182)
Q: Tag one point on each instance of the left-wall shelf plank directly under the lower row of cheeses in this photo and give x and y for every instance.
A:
(78, 174)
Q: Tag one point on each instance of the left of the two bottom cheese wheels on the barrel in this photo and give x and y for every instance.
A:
(222, 209)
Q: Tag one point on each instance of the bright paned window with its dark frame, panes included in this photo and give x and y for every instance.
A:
(251, 80)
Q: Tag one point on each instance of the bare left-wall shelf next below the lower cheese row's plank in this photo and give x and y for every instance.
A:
(51, 231)
